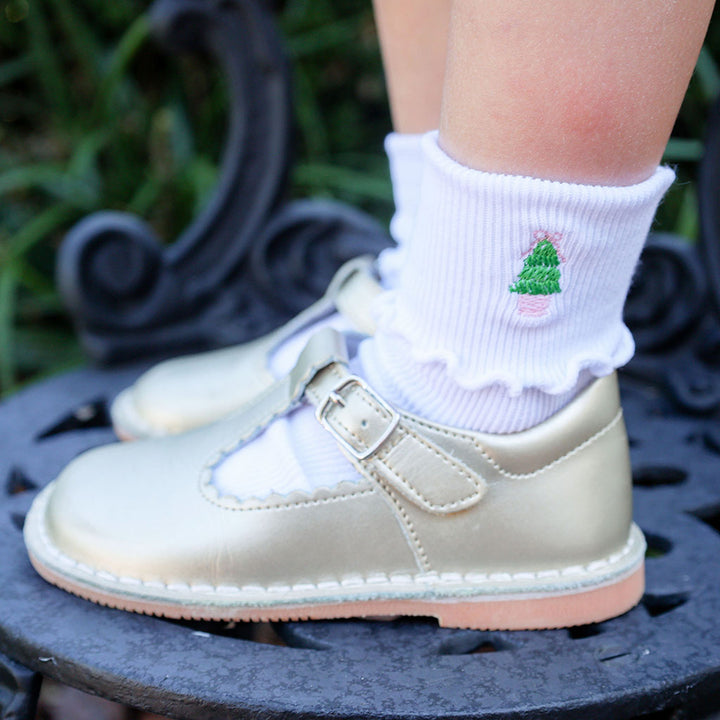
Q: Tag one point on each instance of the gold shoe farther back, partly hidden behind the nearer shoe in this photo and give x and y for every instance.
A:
(188, 392)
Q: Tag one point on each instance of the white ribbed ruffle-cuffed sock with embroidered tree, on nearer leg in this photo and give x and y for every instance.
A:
(460, 338)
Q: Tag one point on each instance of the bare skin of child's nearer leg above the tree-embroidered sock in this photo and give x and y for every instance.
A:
(565, 90)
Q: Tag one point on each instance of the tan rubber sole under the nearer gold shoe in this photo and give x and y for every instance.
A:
(486, 613)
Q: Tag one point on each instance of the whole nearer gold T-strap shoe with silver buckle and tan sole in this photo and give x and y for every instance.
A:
(520, 531)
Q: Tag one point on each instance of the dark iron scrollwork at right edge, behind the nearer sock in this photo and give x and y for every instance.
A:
(674, 305)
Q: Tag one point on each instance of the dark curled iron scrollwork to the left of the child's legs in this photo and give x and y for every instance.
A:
(218, 283)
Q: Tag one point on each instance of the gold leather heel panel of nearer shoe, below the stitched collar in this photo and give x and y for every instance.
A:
(573, 511)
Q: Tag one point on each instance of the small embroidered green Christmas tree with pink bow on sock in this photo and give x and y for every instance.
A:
(540, 276)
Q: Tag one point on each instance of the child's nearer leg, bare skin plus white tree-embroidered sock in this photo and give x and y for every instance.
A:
(482, 331)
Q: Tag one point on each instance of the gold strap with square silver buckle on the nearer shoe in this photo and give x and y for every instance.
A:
(388, 449)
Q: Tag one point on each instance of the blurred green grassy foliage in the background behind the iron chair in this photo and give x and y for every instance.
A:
(94, 116)
